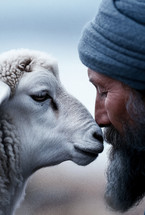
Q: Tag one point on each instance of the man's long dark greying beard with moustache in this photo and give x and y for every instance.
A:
(126, 172)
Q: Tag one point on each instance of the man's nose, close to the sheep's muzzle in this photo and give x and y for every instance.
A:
(101, 115)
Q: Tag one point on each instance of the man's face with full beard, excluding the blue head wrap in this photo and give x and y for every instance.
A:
(122, 114)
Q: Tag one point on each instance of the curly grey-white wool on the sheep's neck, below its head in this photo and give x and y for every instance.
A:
(11, 180)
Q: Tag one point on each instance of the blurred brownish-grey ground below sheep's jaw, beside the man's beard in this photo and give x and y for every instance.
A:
(68, 189)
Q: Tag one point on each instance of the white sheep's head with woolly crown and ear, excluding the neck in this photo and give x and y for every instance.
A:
(51, 125)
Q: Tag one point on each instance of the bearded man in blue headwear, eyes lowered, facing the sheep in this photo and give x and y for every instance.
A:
(112, 46)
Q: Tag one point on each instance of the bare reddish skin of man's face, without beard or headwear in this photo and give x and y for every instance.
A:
(111, 98)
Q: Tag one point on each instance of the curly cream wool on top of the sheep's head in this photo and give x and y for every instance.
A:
(14, 63)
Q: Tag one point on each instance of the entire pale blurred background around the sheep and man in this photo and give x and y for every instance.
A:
(54, 26)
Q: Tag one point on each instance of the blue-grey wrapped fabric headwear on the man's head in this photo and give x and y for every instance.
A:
(114, 42)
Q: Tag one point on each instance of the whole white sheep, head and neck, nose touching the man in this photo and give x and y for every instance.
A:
(40, 123)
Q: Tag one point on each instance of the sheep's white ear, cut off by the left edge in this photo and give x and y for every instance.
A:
(5, 92)
